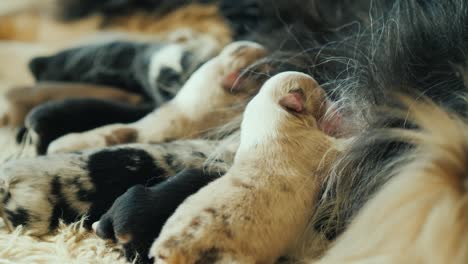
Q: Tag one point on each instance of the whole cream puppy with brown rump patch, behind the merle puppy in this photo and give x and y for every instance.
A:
(211, 97)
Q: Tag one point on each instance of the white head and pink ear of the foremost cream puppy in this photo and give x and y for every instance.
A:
(289, 100)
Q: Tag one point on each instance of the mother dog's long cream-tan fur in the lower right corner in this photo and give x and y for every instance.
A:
(420, 215)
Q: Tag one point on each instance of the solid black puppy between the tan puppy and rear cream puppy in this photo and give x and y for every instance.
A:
(53, 119)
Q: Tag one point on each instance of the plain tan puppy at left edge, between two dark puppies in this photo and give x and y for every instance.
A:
(22, 100)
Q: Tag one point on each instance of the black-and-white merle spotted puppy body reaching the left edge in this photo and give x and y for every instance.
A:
(37, 192)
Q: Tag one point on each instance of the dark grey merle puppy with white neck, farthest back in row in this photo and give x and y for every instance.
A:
(154, 70)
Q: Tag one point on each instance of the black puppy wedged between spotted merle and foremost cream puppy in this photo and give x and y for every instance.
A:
(136, 217)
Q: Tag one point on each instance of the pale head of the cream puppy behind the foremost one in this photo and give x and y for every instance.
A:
(218, 83)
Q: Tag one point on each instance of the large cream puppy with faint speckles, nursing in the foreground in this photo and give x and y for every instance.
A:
(269, 190)
